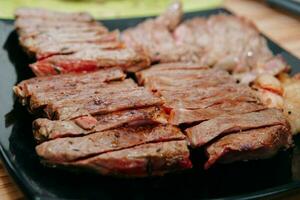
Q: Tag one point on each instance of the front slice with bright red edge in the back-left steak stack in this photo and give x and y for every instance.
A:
(90, 60)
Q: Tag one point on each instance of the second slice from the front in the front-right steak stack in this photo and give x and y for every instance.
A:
(206, 131)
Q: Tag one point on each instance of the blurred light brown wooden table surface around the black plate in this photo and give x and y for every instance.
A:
(280, 26)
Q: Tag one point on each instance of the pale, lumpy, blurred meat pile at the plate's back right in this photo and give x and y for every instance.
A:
(222, 41)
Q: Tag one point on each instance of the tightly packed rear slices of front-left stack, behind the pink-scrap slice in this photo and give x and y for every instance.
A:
(66, 97)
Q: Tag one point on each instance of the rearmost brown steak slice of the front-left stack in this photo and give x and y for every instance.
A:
(65, 82)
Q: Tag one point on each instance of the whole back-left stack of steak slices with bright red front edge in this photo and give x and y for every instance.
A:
(72, 42)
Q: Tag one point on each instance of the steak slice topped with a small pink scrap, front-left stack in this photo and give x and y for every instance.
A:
(45, 129)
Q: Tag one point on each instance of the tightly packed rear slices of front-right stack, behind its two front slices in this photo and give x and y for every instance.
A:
(195, 89)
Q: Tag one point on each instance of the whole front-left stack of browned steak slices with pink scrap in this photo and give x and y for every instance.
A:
(103, 122)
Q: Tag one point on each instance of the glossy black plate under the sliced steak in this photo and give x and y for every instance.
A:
(244, 180)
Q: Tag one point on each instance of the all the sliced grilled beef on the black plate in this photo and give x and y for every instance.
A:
(113, 126)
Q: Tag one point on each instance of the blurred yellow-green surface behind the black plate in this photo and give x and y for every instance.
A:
(105, 8)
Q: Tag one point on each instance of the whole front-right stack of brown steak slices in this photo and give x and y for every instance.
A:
(225, 117)
